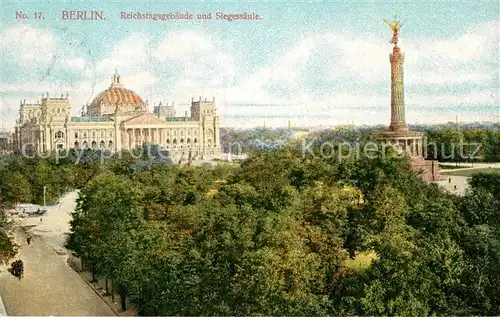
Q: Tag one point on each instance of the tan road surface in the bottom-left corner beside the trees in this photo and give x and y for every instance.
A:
(49, 286)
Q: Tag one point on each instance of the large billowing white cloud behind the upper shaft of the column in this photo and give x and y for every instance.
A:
(343, 63)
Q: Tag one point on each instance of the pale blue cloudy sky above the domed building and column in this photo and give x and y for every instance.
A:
(310, 63)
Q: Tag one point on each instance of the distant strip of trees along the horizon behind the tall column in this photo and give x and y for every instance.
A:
(446, 143)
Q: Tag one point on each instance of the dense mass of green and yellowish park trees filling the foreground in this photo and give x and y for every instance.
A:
(281, 233)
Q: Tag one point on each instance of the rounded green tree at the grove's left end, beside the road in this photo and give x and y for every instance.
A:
(109, 209)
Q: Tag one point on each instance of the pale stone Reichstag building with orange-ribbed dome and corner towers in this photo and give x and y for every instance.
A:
(118, 119)
